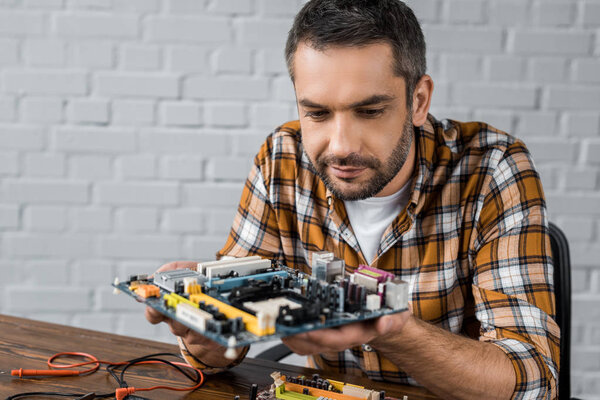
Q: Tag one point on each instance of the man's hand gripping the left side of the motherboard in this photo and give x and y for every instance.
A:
(208, 351)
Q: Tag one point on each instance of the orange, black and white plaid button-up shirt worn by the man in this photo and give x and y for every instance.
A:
(472, 242)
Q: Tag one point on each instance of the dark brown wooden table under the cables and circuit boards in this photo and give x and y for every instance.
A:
(28, 344)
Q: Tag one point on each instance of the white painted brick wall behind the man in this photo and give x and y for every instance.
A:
(126, 128)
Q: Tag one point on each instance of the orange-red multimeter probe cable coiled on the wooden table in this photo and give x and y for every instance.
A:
(119, 393)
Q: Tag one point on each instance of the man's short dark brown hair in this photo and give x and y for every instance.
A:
(325, 23)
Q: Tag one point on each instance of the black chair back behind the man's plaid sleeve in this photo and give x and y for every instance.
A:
(562, 290)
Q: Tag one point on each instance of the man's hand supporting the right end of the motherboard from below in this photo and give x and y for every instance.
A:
(347, 336)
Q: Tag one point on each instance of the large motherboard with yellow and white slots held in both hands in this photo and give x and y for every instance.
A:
(237, 302)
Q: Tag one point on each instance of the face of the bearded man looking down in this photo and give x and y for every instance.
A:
(356, 129)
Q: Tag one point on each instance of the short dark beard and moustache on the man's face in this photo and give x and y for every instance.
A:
(384, 171)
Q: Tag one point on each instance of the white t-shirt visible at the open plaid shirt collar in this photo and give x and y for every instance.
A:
(370, 217)
